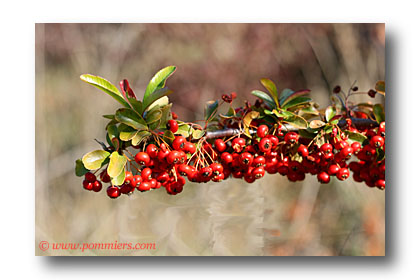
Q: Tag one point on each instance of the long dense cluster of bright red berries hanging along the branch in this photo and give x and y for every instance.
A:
(280, 152)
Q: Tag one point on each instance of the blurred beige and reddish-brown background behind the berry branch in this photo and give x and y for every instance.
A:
(269, 217)
